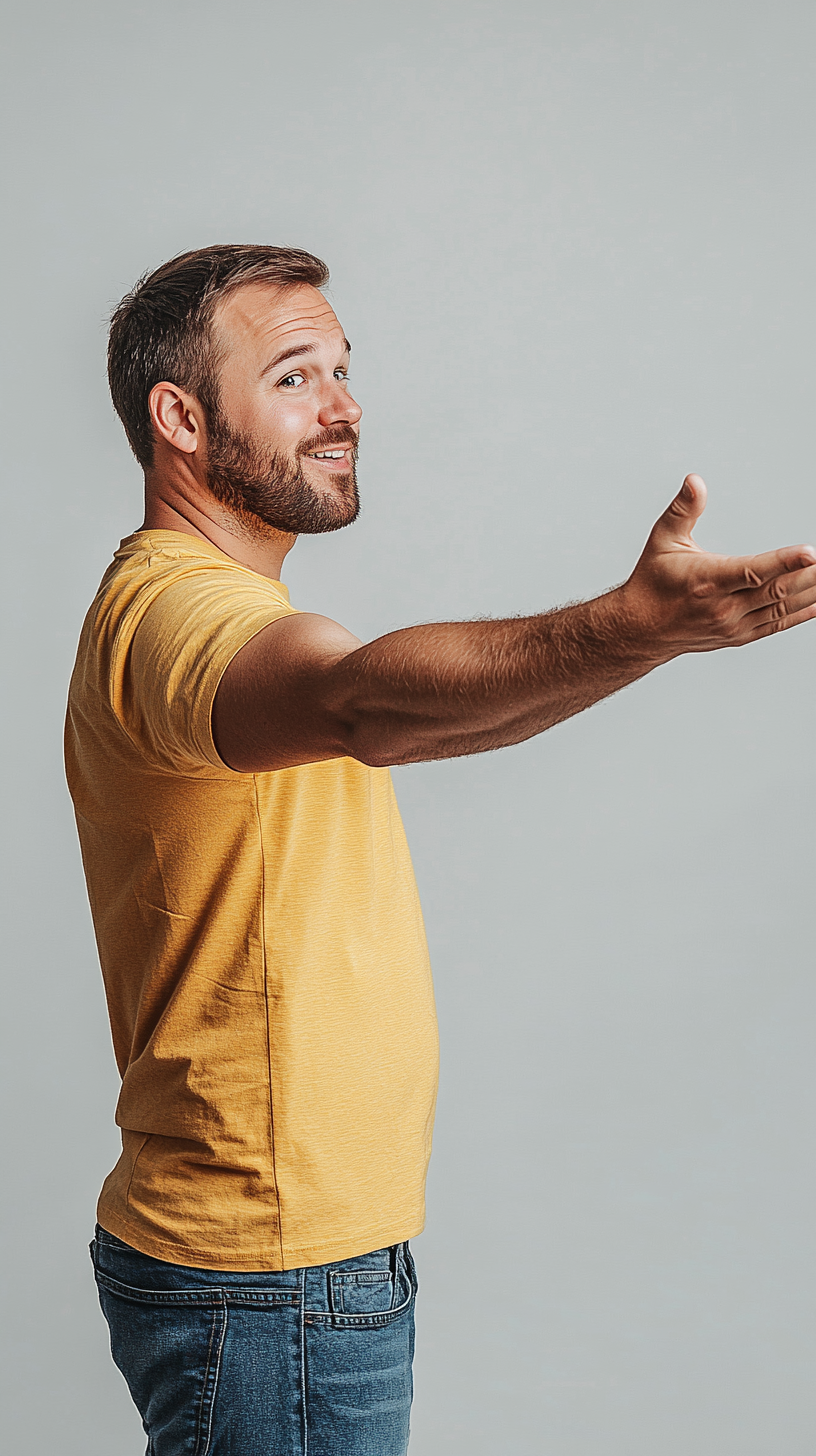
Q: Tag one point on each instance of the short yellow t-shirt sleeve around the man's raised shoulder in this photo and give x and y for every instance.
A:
(173, 653)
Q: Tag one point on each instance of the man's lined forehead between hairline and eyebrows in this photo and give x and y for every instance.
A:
(259, 318)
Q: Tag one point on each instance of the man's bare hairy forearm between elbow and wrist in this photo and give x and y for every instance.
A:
(450, 689)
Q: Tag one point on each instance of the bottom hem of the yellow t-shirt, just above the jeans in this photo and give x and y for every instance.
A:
(308, 1256)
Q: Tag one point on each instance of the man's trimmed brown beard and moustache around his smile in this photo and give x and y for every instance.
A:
(266, 488)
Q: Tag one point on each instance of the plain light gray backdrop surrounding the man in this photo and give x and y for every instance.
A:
(573, 247)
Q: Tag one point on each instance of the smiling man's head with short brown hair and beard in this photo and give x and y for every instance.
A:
(229, 365)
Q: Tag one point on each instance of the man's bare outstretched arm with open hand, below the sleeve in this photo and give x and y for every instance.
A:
(305, 689)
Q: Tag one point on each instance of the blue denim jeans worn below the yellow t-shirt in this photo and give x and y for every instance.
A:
(313, 1362)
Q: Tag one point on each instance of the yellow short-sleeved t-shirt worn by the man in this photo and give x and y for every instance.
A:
(262, 944)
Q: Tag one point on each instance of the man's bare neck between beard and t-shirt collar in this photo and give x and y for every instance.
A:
(167, 509)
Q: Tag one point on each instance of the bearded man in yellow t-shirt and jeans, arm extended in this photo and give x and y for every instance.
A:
(254, 902)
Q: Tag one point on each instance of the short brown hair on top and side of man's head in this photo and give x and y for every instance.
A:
(162, 330)
